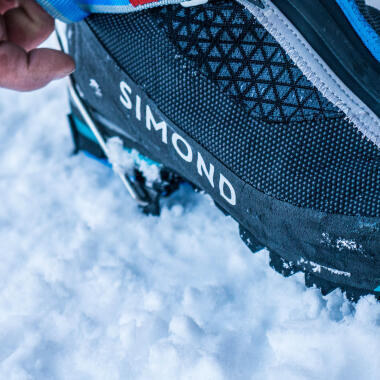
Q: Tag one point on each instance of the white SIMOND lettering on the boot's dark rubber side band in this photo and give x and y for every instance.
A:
(177, 142)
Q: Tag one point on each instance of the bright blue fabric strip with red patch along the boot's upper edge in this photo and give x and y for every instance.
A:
(76, 10)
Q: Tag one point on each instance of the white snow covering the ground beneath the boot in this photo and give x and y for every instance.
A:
(93, 289)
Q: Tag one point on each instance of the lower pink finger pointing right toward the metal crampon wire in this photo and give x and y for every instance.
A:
(24, 71)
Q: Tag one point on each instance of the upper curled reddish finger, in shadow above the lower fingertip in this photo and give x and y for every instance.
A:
(28, 25)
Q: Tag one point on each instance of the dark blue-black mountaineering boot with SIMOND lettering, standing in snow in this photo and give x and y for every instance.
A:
(271, 107)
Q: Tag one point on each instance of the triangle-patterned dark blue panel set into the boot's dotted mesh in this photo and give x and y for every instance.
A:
(237, 52)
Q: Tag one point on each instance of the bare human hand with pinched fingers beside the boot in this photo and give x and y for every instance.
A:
(24, 25)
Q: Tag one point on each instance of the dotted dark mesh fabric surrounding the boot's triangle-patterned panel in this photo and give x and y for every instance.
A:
(318, 162)
